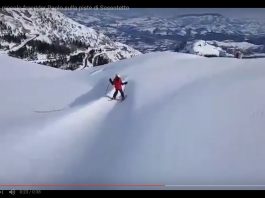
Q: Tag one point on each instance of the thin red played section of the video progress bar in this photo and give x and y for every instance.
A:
(87, 185)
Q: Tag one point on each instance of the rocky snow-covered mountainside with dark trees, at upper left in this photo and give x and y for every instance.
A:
(47, 36)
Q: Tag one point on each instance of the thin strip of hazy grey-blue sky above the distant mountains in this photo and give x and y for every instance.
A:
(255, 13)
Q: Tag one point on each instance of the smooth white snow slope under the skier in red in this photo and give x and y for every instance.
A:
(187, 120)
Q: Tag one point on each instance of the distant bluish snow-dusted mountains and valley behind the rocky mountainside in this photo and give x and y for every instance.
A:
(154, 33)
